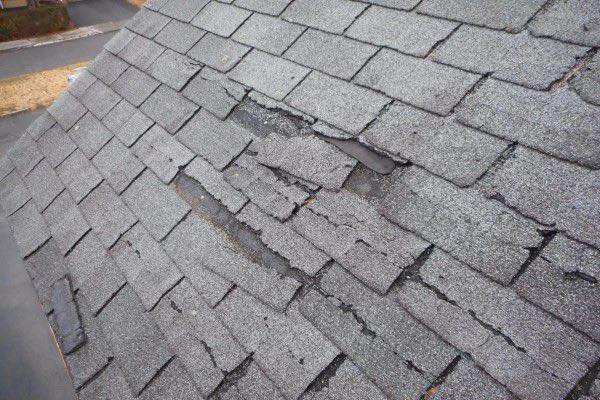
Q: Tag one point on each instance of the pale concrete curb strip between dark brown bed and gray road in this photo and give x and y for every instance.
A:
(64, 36)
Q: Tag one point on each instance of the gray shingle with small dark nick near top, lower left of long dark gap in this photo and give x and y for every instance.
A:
(148, 269)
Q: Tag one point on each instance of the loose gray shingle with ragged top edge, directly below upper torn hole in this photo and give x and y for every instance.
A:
(308, 158)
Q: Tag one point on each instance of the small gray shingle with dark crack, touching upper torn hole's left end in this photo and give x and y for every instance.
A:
(215, 92)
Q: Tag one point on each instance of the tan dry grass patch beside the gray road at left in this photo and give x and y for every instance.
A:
(31, 91)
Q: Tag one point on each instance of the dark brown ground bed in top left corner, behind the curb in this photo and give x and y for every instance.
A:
(20, 23)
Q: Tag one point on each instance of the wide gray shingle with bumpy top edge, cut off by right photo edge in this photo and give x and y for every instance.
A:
(536, 119)
